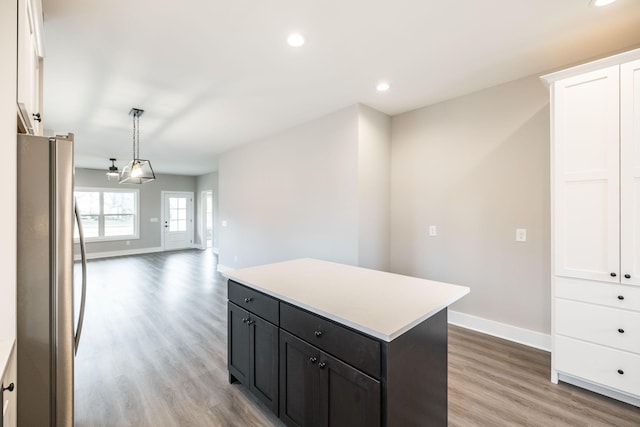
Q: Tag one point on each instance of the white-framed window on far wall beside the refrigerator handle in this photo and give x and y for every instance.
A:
(108, 214)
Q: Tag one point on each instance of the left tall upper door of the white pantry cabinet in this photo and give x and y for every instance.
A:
(586, 145)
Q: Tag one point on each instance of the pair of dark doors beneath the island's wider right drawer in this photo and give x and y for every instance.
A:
(319, 390)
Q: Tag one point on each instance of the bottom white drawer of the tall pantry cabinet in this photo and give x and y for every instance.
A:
(616, 369)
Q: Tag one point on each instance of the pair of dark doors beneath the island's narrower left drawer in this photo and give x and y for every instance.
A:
(253, 353)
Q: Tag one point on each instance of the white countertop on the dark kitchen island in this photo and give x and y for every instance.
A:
(383, 305)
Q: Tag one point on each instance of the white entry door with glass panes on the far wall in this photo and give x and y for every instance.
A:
(177, 220)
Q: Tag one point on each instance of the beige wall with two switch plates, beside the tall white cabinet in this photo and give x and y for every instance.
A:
(477, 167)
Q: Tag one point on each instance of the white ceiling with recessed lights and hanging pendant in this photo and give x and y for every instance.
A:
(214, 74)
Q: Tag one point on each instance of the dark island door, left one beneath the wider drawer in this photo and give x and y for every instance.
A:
(299, 382)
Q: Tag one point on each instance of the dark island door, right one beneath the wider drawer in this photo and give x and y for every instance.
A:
(349, 398)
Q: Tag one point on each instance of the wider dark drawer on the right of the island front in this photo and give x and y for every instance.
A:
(352, 347)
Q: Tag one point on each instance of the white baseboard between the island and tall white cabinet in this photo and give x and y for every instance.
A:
(501, 330)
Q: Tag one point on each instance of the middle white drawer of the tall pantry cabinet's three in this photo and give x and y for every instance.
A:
(597, 324)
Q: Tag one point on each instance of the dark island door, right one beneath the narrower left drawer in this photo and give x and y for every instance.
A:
(263, 380)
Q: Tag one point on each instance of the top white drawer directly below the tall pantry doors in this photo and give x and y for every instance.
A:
(612, 295)
